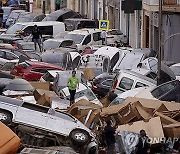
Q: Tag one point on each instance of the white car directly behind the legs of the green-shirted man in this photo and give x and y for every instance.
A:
(84, 92)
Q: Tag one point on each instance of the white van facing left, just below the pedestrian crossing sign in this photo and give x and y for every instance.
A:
(85, 38)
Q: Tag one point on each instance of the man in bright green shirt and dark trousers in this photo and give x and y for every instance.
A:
(73, 84)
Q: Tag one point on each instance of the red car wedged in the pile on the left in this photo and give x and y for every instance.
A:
(32, 71)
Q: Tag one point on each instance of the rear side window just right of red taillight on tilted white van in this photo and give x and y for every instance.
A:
(126, 83)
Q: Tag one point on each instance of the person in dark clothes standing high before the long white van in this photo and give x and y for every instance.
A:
(37, 37)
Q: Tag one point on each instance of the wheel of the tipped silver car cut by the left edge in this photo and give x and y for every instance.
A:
(5, 117)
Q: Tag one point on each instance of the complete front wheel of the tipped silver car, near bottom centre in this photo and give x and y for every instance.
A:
(79, 137)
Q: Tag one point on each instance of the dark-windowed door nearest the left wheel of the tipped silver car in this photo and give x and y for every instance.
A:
(31, 114)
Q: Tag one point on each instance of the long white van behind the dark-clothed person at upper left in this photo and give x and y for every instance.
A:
(46, 28)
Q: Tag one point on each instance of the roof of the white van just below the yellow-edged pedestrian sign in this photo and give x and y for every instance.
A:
(84, 31)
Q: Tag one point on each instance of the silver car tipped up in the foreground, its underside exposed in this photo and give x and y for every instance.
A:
(42, 126)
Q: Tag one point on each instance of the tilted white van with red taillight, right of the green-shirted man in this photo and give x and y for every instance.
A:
(127, 80)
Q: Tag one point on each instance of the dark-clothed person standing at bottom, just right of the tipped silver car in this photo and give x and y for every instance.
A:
(109, 132)
